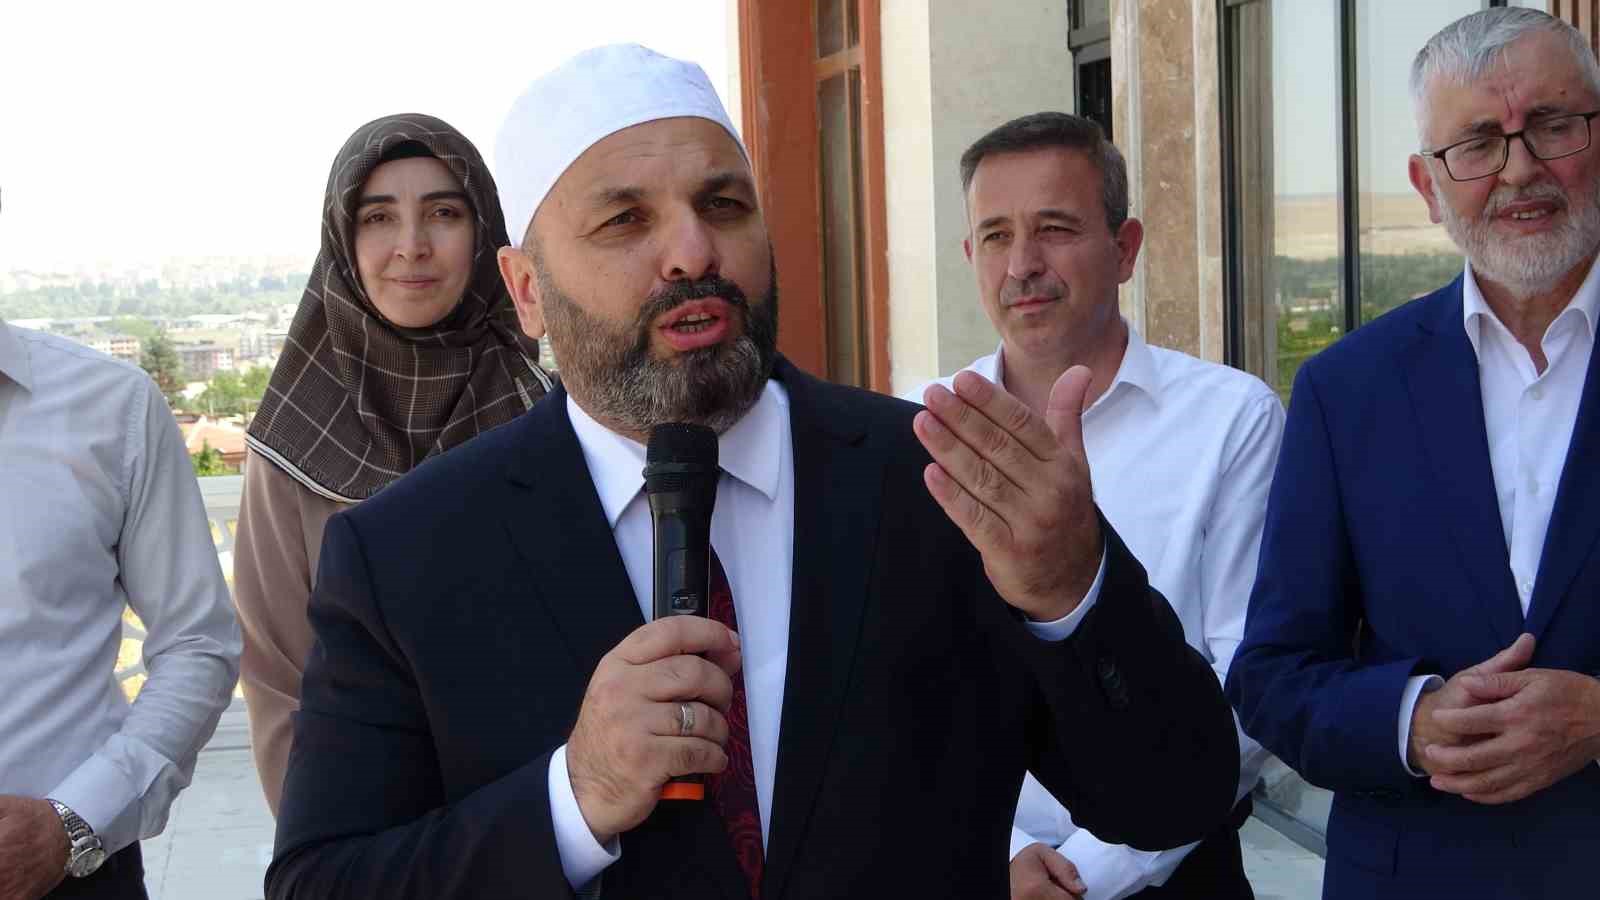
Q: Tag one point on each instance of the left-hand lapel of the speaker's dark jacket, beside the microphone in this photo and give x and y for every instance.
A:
(556, 521)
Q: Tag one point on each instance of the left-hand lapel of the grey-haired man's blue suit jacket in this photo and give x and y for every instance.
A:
(1444, 384)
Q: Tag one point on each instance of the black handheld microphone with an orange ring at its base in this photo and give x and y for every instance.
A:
(681, 484)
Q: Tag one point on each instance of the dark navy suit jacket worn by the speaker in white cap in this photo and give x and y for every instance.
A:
(460, 614)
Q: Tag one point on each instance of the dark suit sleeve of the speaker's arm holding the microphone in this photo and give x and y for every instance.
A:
(364, 813)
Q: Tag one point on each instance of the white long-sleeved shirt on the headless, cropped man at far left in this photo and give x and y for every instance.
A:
(103, 512)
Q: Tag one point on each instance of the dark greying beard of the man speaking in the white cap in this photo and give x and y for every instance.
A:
(615, 379)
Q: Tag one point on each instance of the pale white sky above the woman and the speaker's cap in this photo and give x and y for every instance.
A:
(172, 129)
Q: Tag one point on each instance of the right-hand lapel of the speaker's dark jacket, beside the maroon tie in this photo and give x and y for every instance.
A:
(838, 484)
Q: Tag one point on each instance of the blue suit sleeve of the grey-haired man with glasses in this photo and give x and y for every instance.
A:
(1295, 680)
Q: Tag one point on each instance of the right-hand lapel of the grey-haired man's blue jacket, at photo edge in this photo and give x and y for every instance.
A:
(1574, 521)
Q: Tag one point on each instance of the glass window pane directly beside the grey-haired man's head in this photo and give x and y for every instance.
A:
(1402, 254)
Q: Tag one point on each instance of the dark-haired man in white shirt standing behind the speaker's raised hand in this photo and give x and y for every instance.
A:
(1182, 451)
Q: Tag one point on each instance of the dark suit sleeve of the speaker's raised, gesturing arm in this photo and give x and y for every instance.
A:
(1135, 736)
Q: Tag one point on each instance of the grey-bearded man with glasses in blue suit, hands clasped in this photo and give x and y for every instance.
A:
(1422, 635)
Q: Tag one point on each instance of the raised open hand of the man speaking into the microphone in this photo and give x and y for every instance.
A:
(1018, 488)
